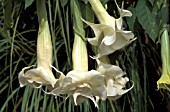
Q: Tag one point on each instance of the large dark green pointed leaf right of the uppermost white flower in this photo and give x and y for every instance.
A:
(147, 19)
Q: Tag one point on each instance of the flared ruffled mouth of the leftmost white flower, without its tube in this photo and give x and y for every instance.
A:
(40, 76)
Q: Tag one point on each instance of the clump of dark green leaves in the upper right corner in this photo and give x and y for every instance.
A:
(152, 16)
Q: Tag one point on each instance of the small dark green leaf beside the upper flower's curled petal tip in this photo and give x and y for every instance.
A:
(131, 20)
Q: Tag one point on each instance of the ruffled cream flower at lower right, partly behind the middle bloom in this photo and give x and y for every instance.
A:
(115, 82)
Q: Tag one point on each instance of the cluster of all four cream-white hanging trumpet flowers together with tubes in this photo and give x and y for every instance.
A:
(106, 81)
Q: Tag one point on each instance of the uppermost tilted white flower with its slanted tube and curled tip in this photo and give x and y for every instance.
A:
(109, 33)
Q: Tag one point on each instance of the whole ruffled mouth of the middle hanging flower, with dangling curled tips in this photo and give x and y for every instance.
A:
(81, 85)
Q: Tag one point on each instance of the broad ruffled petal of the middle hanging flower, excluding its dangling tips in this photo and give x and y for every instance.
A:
(75, 80)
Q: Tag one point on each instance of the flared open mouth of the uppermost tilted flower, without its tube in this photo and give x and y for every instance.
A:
(108, 39)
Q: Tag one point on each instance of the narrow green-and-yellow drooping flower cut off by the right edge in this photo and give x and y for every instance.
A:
(164, 81)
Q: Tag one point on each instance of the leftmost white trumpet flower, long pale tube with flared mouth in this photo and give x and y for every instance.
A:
(42, 75)
